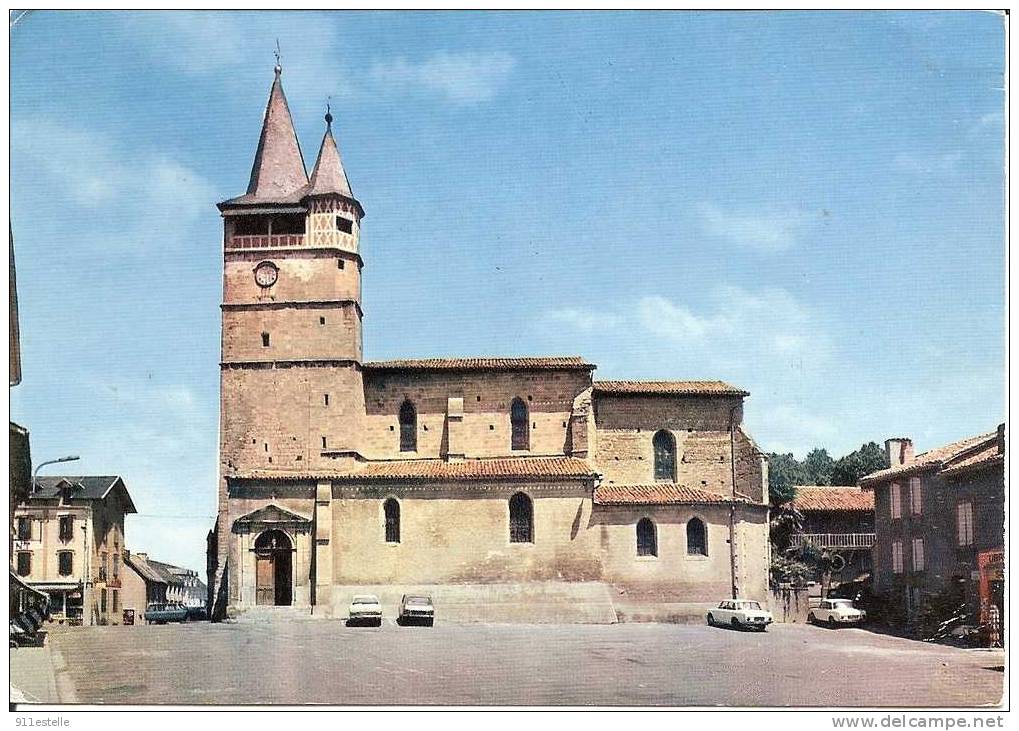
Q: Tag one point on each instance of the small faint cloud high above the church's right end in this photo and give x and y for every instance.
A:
(768, 231)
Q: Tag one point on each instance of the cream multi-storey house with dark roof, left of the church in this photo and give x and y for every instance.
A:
(69, 544)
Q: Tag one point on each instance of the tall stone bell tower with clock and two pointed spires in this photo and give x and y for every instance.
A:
(292, 398)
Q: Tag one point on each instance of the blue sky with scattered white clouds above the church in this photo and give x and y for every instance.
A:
(809, 205)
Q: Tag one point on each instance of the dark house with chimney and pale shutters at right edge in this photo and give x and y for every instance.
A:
(937, 514)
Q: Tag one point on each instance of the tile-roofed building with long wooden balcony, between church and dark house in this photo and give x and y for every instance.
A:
(840, 520)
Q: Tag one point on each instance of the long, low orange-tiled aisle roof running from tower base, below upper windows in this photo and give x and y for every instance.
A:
(549, 468)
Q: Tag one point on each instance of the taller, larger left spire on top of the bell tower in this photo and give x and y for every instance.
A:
(279, 171)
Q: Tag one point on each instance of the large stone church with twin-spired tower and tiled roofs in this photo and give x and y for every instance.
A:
(508, 489)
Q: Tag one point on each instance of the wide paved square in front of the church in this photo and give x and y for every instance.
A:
(324, 662)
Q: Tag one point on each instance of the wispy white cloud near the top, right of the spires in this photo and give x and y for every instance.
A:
(466, 78)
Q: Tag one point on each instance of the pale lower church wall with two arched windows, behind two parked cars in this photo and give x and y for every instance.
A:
(461, 535)
